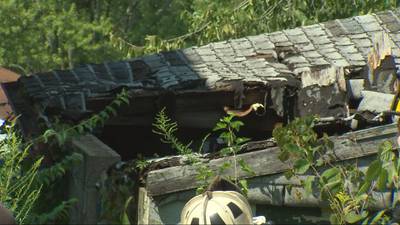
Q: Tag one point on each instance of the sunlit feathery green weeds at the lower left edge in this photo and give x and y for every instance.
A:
(18, 190)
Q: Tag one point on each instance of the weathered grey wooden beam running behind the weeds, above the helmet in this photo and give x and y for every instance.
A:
(265, 162)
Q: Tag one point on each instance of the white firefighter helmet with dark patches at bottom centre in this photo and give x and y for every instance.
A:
(217, 207)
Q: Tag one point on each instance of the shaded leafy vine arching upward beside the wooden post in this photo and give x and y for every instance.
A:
(50, 208)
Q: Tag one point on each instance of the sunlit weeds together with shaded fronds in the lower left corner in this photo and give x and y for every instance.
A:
(23, 181)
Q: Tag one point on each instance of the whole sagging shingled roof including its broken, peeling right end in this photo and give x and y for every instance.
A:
(318, 69)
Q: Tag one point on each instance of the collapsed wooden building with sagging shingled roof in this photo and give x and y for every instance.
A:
(344, 71)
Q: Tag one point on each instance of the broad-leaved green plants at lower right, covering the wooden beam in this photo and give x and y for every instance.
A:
(347, 188)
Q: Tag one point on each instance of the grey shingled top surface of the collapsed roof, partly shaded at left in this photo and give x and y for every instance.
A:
(270, 57)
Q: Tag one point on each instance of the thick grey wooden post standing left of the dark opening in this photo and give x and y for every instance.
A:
(98, 157)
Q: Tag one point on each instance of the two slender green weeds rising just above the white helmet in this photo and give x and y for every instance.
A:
(228, 128)
